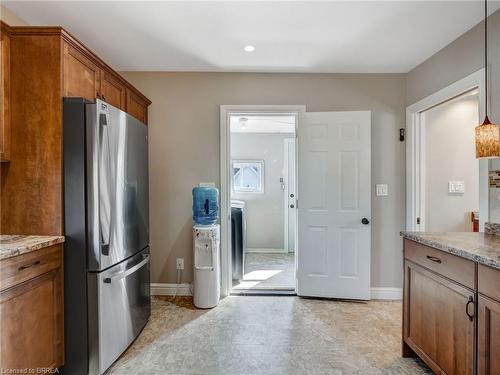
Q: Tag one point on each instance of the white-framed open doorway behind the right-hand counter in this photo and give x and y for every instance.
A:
(447, 187)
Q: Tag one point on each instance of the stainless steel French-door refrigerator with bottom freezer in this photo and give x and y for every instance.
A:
(106, 267)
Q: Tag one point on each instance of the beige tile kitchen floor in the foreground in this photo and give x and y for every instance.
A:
(268, 336)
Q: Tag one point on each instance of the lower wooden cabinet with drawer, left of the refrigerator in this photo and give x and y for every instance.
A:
(31, 310)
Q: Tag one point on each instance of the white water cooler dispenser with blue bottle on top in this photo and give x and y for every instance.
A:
(206, 247)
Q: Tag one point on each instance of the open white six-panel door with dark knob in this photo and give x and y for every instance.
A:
(334, 187)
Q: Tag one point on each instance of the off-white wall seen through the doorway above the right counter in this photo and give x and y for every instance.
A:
(450, 156)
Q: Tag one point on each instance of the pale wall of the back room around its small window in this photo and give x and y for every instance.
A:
(264, 212)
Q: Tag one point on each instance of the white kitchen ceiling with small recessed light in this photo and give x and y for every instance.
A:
(289, 36)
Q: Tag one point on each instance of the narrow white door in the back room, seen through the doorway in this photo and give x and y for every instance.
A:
(290, 194)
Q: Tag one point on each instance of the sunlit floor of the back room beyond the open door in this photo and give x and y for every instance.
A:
(268, 271)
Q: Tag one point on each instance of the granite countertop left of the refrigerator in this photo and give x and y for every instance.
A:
(12, 245)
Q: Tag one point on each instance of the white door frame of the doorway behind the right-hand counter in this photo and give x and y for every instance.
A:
(415, 144)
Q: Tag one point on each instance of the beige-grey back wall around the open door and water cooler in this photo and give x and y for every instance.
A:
(184, 149)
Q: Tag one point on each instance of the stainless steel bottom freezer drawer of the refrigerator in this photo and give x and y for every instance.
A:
(119, 307)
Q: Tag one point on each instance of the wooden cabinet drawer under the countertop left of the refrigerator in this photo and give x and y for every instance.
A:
(24, 267)
